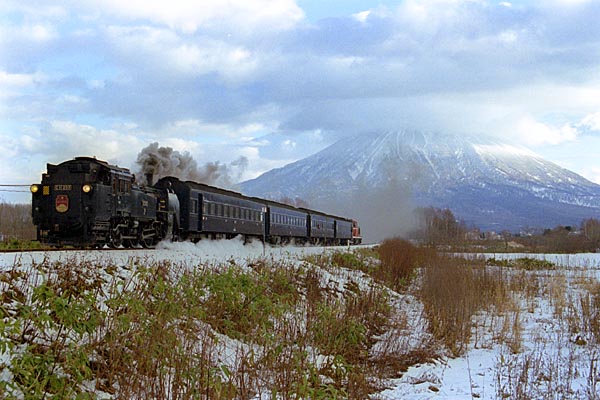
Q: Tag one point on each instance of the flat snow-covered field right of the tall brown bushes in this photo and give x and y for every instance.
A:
(553, 360)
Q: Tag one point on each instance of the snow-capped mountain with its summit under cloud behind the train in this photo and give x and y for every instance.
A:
(488, 184)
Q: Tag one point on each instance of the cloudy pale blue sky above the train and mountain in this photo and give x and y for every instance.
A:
(273, 81)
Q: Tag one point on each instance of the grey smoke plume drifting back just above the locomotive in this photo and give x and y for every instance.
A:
(164, 161)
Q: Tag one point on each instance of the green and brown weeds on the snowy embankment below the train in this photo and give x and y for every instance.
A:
(209, 332)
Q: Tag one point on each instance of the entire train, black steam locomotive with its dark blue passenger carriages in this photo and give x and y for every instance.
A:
(86, 202)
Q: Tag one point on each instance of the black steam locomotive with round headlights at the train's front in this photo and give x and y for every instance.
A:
(89, 202)
